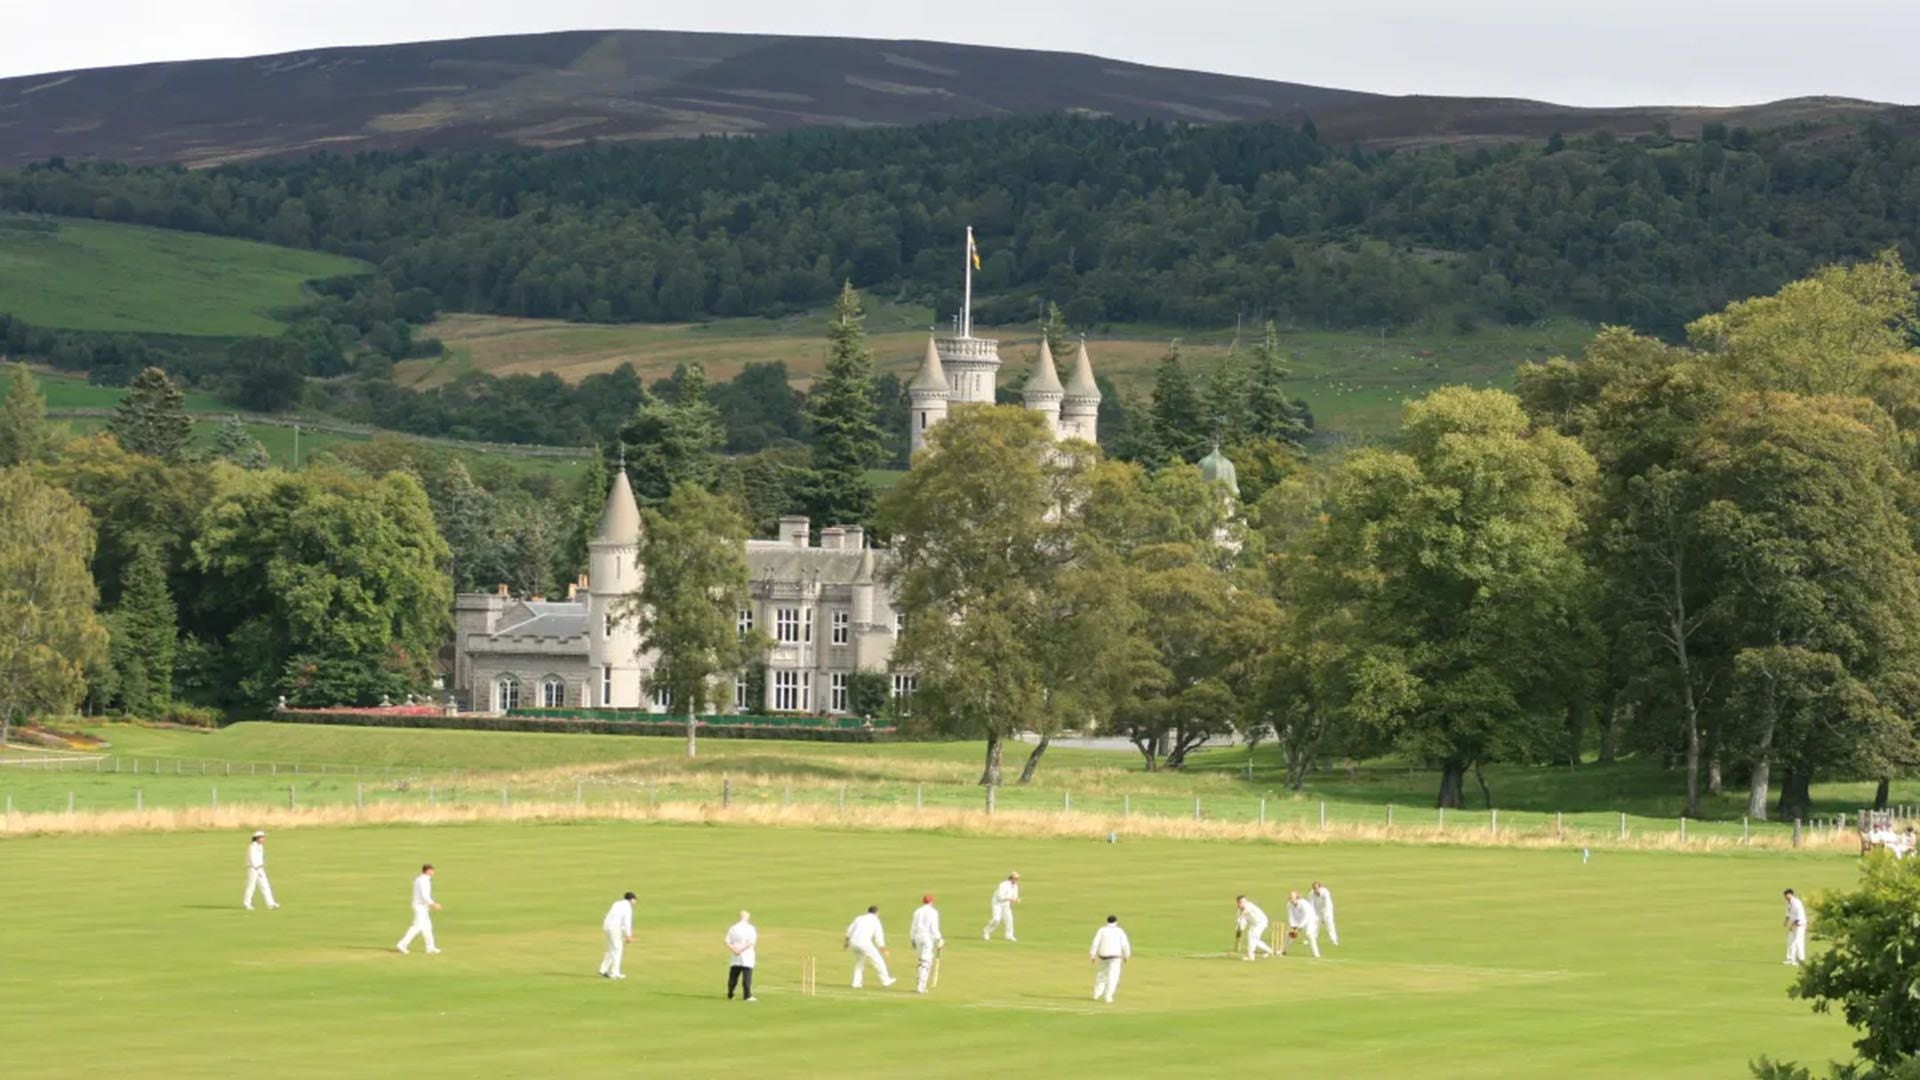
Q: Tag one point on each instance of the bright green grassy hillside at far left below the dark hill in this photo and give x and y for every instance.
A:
(93, 276)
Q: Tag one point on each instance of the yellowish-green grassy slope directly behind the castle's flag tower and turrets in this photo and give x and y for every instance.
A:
(1355, 381)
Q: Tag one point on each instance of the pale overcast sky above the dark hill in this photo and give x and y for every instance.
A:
(1585, 53)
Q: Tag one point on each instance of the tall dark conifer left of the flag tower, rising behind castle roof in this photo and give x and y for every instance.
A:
(848, 441)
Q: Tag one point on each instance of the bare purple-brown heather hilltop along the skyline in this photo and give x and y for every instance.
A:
(564, 89)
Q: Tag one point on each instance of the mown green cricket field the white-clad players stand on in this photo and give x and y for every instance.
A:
(133, 950)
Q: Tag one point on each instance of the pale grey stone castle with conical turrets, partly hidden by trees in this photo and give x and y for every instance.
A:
(823, 604)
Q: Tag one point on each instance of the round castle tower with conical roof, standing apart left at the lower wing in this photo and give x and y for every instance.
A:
(613, 574)
